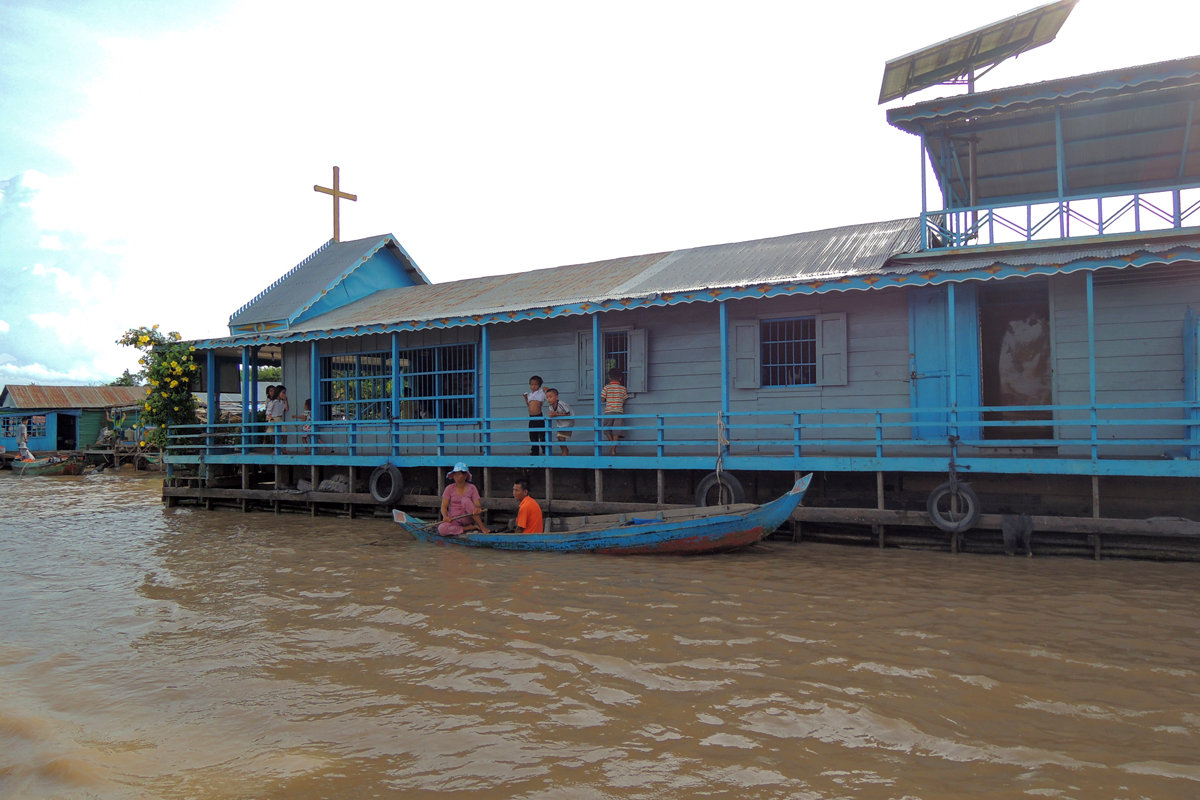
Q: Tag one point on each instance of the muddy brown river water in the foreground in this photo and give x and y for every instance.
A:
(154, 653)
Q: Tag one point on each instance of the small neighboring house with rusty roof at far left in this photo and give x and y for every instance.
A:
(64, 418)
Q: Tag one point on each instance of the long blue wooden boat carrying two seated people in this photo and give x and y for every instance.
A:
(671, 532)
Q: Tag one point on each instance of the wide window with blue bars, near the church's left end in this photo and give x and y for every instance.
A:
(435, 383)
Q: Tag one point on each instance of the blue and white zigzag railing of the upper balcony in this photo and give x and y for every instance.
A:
(1084, 215)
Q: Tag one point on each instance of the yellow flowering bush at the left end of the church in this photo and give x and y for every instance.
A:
(165, 362)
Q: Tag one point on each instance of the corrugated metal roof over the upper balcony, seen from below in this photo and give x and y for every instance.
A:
(1124, 128)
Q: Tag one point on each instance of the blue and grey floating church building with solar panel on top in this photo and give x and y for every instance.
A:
(1028, 344)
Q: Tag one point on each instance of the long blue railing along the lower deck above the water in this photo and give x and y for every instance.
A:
(1103, 440)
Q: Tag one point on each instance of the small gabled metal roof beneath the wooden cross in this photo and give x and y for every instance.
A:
(308, 280)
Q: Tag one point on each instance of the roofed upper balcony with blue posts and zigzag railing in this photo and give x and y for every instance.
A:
(1101, 155)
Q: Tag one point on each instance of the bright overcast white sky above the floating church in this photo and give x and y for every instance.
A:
(158, 163)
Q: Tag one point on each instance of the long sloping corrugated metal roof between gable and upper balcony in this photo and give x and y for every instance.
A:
(819, 255)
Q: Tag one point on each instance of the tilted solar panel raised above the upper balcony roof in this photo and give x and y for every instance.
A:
(983, 47)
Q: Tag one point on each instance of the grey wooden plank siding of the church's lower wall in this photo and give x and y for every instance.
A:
(1139, 344)
